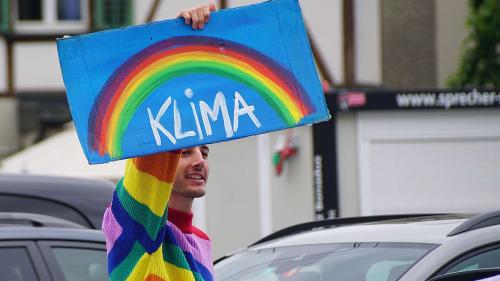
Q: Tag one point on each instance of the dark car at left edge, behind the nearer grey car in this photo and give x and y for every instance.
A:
(79, 200)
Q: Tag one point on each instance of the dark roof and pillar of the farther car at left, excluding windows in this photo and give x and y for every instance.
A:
(88, 197)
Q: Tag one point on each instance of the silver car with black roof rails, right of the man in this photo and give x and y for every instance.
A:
(383, 248)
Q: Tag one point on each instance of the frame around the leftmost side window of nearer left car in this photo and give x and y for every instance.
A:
(33, 253)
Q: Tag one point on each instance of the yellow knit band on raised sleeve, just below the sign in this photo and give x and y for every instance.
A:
(147, 189)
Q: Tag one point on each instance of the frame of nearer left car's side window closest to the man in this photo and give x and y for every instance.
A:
(50, 259)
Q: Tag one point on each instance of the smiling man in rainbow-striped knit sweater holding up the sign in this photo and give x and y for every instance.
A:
(148, 226)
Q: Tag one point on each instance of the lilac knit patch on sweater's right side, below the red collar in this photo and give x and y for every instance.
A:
(196, 246)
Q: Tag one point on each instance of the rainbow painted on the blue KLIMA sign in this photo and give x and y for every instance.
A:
(155, 65)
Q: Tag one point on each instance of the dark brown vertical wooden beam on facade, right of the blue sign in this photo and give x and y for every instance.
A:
(348, 46)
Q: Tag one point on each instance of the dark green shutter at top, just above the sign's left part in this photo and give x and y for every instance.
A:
(112, 13)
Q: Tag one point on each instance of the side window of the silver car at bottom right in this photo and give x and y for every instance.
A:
(489, 258)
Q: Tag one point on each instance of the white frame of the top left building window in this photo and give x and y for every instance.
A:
(49, 22)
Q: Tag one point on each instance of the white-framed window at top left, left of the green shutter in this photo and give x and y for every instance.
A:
(50, 16)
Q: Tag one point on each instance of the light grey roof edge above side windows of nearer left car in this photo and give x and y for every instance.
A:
(50, 233)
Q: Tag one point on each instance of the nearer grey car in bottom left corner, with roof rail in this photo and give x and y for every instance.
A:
(38, 247)
